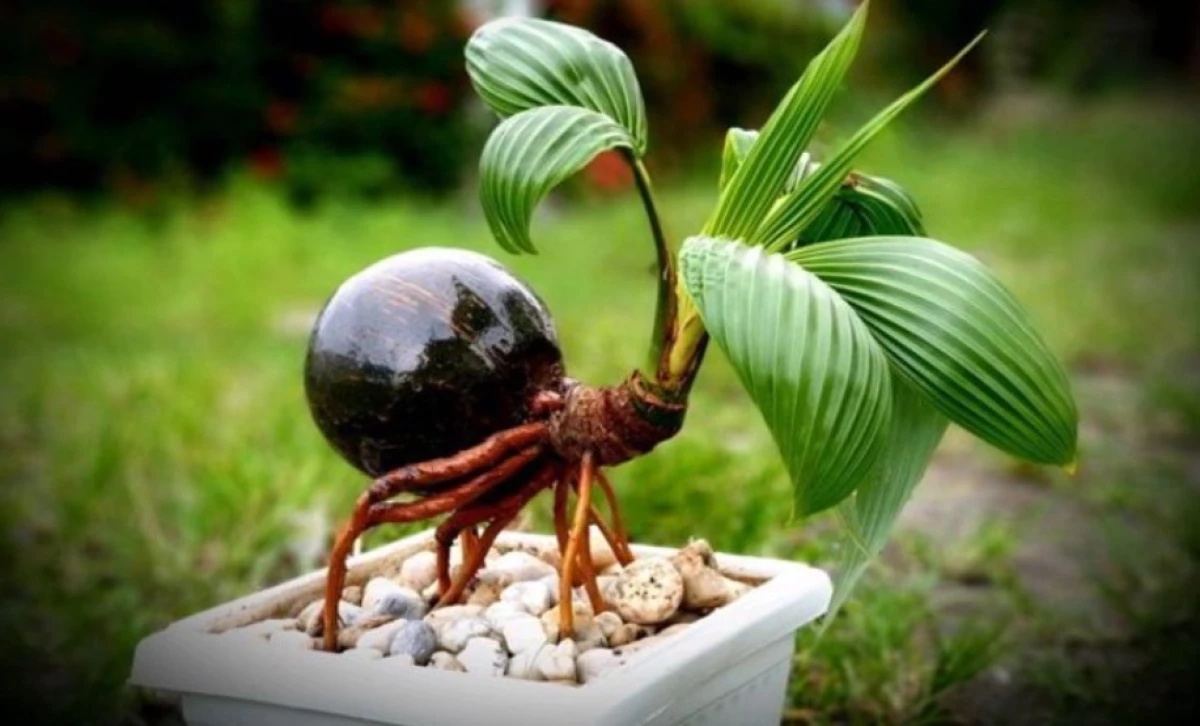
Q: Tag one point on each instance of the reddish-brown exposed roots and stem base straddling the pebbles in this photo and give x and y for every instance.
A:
(487, 487)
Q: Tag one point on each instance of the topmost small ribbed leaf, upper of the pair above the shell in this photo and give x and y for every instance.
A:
(518, 64)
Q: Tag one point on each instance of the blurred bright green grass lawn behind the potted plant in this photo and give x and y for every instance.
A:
(159, 457)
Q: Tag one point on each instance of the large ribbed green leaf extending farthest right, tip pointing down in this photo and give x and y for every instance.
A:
(959, 337)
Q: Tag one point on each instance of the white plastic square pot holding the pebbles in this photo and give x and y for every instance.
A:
(729, 668)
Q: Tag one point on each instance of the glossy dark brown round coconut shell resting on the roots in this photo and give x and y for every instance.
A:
(424, 355)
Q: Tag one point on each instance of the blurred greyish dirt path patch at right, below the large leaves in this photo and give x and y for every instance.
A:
(1099, 591)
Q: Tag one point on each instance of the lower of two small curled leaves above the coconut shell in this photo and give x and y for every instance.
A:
(530, 154)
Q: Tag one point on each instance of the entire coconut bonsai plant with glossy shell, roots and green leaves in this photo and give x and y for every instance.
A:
(859, 339)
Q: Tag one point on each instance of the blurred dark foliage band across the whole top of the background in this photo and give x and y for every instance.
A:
(363, 98)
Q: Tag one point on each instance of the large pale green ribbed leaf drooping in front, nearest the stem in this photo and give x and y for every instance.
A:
(807, 361)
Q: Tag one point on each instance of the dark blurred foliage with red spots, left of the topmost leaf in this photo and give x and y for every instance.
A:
(321, 93)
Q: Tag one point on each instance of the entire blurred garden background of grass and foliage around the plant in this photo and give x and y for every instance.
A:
(184, 183)
